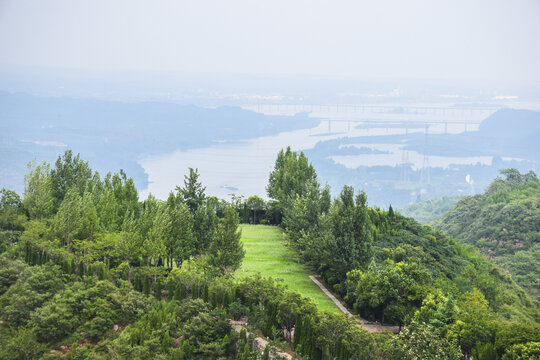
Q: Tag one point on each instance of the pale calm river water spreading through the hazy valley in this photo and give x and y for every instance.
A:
(243, 167)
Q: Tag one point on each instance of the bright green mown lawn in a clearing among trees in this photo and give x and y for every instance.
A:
(268, 254)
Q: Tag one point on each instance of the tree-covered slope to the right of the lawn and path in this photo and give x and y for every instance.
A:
(391, 268)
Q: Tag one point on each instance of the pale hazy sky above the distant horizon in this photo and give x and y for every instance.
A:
(494, 39)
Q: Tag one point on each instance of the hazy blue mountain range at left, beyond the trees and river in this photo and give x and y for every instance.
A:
(114, 135)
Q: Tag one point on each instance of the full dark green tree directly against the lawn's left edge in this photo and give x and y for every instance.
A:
(226, 251)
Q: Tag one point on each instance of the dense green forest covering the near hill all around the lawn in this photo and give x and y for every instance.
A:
(90, 272)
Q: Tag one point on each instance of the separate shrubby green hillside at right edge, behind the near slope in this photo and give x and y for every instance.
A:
(504, 223)
